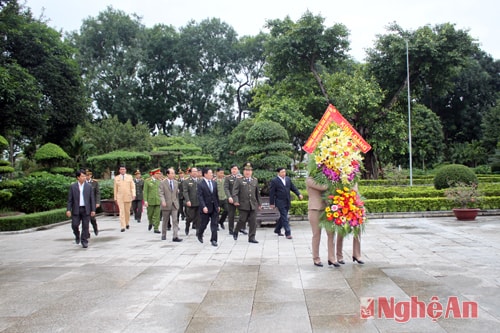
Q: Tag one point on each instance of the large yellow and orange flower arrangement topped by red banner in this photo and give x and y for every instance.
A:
(336, 161)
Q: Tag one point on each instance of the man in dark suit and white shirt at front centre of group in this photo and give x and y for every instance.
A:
(208, 200)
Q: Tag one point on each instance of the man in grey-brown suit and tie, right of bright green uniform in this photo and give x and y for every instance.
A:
(169, 197)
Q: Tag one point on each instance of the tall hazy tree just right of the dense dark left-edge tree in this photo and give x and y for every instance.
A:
(109, 52)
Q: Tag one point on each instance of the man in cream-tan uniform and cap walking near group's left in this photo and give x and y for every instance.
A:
(124, 191)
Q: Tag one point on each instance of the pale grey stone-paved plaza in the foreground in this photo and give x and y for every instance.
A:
(134, 282)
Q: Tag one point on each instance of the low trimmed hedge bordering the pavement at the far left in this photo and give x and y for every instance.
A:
(27, 221)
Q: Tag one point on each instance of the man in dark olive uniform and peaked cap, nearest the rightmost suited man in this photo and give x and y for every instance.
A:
(246, 197)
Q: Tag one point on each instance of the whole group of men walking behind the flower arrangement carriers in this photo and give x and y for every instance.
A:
(201, 194)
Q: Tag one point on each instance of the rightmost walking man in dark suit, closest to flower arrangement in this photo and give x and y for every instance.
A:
(279, 196)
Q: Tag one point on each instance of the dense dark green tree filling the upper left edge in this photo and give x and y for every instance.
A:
(42, 91)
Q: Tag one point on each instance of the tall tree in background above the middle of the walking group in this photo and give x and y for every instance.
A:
(208, 49)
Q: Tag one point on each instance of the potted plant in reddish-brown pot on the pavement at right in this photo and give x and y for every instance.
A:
(465, 197)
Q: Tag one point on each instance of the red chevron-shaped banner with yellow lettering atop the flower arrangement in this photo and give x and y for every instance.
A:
(333, 115)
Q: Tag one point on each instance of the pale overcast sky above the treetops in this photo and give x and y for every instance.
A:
(364, 19)
